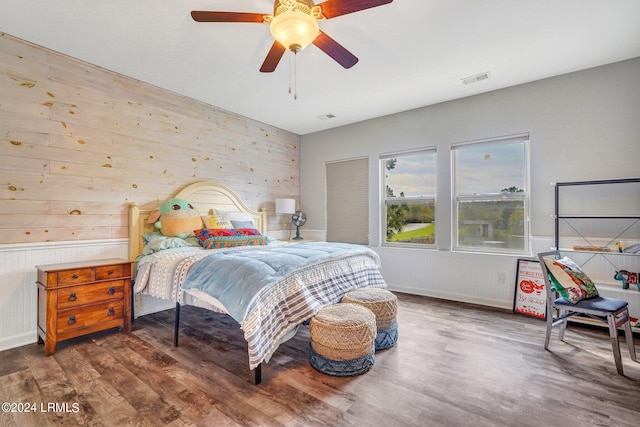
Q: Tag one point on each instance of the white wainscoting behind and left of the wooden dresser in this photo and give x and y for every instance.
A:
(18, 301)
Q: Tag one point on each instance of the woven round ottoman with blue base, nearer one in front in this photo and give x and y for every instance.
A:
(342, 340)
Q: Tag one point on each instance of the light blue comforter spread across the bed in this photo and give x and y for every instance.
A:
(236, 277)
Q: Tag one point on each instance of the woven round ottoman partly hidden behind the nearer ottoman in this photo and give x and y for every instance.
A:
(384, 305)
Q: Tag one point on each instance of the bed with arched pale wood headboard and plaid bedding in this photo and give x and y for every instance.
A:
(270, 289)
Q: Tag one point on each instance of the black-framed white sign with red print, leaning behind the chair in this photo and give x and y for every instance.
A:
(530, 296)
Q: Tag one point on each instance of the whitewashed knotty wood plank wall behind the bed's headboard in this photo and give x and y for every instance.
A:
(78, 143)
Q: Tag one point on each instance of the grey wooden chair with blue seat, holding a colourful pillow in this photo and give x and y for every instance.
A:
(611, 311)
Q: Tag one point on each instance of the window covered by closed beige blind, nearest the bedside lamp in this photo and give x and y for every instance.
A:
(348, 201)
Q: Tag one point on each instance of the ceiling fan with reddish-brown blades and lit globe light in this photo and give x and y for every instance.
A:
(294, 25)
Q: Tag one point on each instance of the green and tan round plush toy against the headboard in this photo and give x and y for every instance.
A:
(176, 218)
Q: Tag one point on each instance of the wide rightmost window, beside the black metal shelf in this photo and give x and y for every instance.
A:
(491, 190)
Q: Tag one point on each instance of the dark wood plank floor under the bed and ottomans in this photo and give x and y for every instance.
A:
(454, 365)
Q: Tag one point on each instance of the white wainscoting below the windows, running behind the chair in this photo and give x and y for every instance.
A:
(489, 279)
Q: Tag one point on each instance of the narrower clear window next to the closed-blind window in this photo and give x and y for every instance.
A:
(409, 198)
